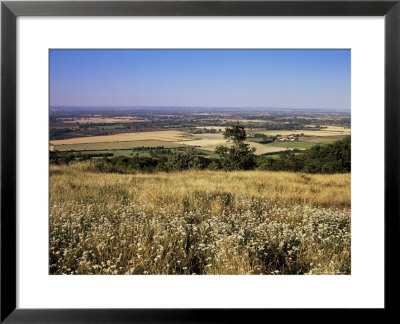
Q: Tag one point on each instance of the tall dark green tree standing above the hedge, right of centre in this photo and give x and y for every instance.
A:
(238, 156)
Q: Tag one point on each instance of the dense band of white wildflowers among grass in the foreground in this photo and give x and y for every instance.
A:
(218, 232)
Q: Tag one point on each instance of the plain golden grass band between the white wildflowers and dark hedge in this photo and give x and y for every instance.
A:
(295, 188)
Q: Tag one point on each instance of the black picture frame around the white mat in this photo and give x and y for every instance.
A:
(10, 10)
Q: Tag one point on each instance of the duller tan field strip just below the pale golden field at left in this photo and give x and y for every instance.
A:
(115, 145)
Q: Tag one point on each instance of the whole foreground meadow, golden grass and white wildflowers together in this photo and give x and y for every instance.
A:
(198, 222)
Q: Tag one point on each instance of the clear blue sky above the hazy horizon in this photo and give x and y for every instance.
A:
(201, 78)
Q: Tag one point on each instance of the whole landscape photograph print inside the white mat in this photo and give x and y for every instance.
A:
(200, 162)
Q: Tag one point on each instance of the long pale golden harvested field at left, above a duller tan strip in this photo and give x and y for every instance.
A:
(168, 136)
